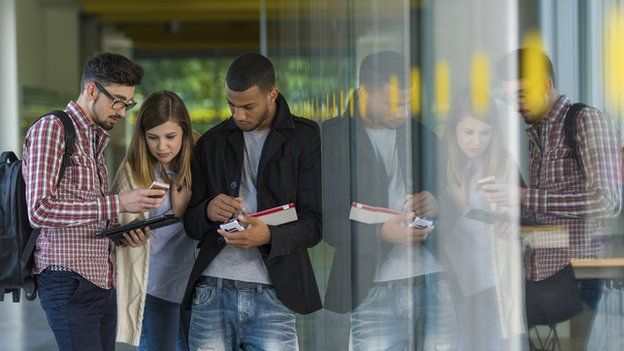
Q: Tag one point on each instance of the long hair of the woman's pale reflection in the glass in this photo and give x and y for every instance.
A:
(495, 156)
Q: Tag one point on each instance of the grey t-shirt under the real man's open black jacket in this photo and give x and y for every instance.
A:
(233, 262)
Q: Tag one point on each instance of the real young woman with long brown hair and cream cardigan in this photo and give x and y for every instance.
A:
(151, 278)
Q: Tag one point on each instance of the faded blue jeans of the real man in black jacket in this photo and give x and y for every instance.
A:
(225, 318)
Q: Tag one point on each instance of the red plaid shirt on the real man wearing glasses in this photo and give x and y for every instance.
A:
(69, 214)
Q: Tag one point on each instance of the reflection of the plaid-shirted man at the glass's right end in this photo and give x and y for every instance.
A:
(560, 193)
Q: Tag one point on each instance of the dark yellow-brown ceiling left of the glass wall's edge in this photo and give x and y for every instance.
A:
(179, 25)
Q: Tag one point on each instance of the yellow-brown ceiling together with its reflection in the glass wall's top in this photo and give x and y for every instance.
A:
(223, 25)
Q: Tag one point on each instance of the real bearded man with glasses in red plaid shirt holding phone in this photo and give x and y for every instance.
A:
(74, 270)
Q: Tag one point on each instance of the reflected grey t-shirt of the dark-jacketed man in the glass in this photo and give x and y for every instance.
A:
(402, 261)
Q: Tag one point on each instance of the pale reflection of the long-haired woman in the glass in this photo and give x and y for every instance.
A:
(484, 258)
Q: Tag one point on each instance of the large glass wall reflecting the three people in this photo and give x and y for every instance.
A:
(417, 116)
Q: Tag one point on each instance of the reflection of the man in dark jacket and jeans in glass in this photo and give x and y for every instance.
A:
(377, 156)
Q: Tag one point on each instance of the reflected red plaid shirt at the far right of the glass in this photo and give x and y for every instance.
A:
(560, 195)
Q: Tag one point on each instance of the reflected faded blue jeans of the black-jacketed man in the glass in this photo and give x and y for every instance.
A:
(415, 314)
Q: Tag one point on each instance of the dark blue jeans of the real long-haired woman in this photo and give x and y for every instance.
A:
(162, 329)
